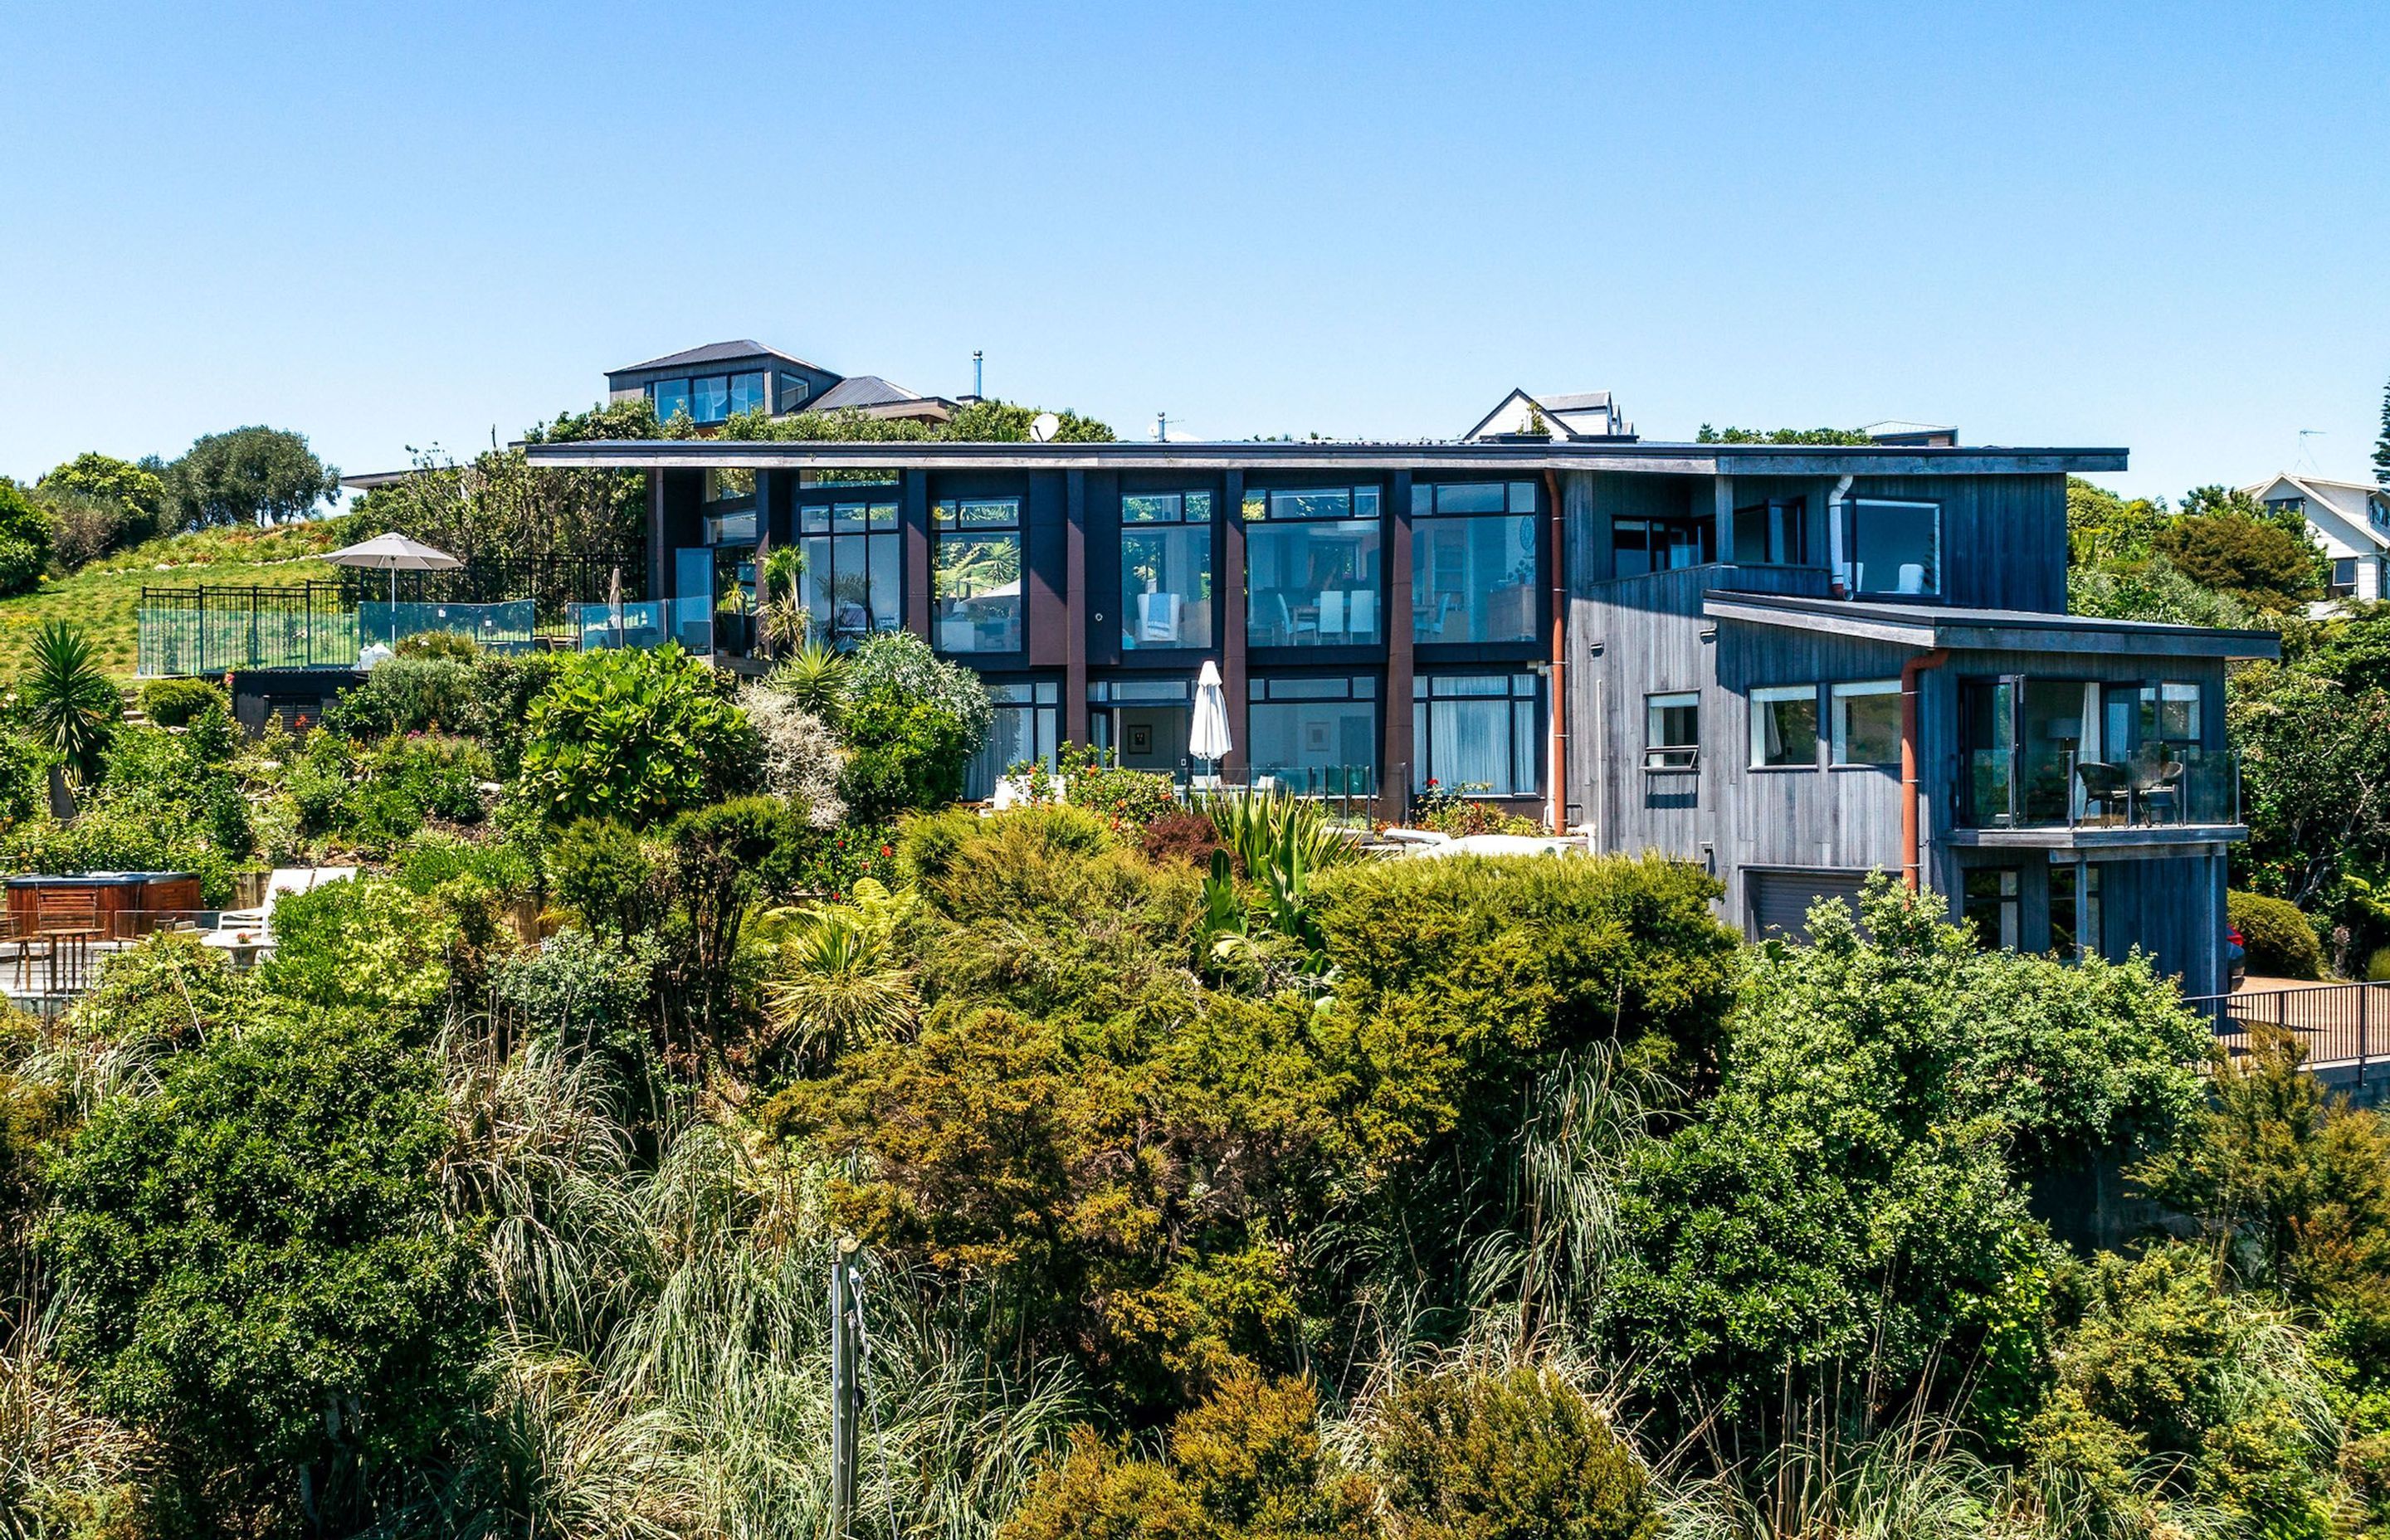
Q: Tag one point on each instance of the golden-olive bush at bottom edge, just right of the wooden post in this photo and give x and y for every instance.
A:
(1246, 1465)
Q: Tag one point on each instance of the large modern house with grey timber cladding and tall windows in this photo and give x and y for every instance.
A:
(1789, 664)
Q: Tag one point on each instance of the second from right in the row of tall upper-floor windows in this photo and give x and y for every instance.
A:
(1311, 568)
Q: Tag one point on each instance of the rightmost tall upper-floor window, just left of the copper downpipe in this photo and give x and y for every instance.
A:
(1473, 561)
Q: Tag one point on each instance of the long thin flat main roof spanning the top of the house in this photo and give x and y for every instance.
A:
(1323, 456)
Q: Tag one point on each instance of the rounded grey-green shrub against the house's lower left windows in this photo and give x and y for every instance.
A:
(912, 723)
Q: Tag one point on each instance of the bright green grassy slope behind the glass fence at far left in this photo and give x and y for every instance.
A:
(106, 597)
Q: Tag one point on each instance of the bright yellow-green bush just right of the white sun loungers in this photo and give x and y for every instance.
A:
(364, 943)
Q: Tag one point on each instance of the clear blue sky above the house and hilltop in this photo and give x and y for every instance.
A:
(2150, 226)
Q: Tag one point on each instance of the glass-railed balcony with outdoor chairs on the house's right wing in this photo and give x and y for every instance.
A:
(2155, 795)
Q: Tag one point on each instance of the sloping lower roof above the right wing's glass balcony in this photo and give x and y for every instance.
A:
(1987, 630)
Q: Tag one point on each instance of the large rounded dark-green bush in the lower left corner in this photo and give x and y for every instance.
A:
(257, 1271)
